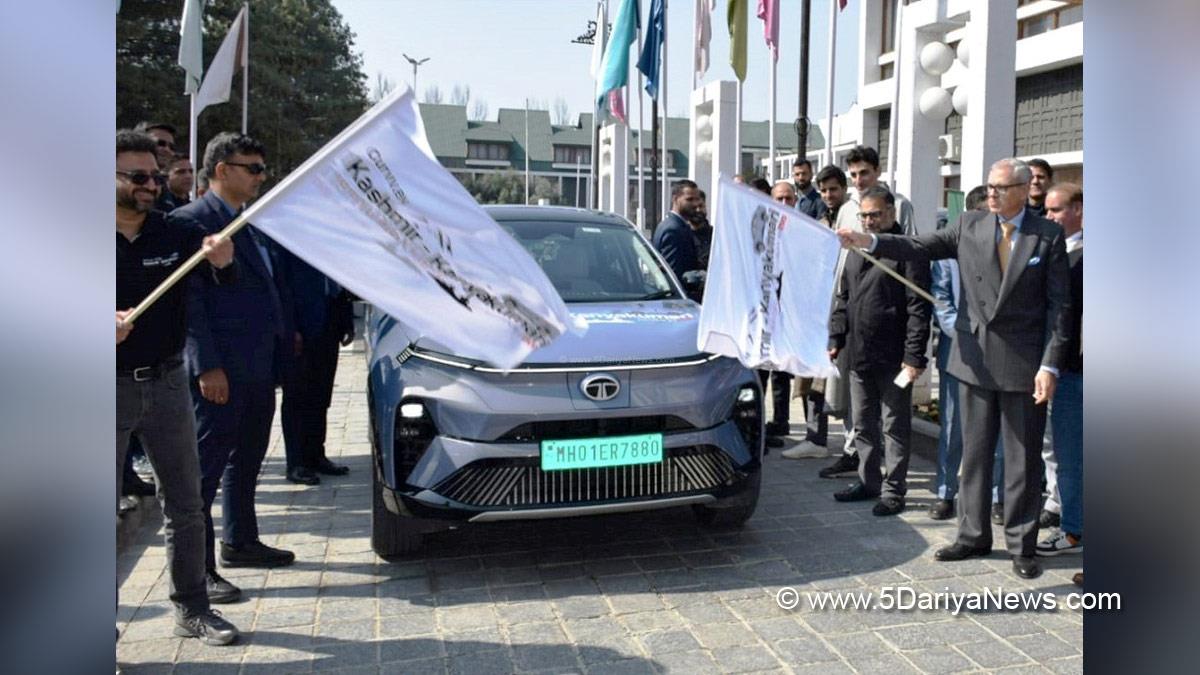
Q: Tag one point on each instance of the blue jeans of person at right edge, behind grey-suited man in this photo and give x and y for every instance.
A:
(1067, 423)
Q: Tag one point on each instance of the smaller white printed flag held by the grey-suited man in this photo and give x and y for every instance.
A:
(770, 285)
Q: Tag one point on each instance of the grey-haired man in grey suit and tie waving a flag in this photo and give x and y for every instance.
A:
(1011, 339)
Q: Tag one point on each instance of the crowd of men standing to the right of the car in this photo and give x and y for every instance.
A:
(1007, 284)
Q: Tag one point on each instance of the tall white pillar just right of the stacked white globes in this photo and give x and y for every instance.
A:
(989, 128)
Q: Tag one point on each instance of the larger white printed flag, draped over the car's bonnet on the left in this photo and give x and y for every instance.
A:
(379, 214)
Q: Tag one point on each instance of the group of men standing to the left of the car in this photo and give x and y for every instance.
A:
(197, 372)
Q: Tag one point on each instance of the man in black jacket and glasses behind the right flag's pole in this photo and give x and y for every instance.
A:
(884, 327)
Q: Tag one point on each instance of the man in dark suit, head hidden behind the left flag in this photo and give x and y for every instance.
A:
(325, 320)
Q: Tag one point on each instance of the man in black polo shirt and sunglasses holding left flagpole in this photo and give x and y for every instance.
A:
(153, 402)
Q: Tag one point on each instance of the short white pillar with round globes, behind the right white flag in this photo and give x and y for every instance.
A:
(719, 103)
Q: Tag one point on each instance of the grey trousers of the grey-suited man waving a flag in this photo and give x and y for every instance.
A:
(1021, 425)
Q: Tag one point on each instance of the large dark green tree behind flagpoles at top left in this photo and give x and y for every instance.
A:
(307, 83)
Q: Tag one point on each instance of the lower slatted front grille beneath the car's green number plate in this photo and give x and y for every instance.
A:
(521, 482)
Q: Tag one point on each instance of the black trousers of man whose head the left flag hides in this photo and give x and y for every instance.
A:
(307, 397)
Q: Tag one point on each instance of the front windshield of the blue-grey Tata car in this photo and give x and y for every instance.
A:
(593, 262)
